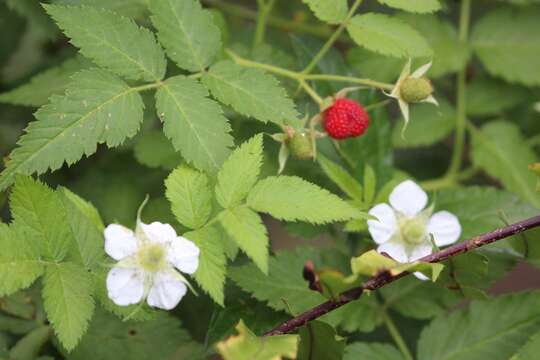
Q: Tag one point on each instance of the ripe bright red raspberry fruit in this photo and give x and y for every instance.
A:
(344, 119)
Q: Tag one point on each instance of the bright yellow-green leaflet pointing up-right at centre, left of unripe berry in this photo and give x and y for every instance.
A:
(240, 172)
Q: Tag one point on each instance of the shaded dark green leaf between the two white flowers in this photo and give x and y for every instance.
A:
(283, 282)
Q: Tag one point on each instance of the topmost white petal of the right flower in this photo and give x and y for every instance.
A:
(408, 198)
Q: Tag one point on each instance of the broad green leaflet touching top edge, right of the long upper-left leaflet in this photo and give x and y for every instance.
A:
(187, 32)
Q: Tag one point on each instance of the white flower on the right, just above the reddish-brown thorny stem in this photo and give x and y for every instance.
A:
(403, 229)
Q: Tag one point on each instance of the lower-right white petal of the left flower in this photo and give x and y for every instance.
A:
(167, 290)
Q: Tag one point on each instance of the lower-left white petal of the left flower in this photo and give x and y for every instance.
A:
(125, 286)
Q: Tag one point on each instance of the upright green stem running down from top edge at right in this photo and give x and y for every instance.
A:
(459, 143)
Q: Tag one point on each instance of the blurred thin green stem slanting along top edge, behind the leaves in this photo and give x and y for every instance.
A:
(288, 25)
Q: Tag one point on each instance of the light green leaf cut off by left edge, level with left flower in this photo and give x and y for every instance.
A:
(19, 260)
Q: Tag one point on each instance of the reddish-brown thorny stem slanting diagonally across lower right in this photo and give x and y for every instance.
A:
(384, 278)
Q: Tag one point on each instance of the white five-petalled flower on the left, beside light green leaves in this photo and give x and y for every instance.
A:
(148, 262)
